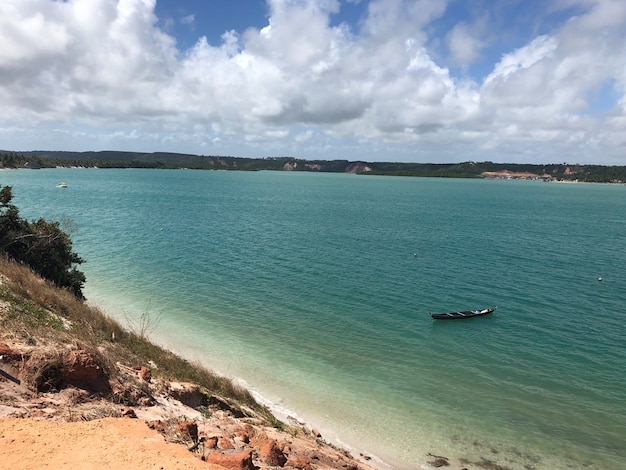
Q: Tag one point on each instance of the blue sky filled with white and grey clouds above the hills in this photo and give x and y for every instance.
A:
(428, 81)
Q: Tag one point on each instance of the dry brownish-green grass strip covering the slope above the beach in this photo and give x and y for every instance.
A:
(36, 311)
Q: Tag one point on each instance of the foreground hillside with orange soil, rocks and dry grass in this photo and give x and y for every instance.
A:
(78, 391)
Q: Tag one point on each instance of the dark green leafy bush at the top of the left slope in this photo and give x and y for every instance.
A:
(40, 244)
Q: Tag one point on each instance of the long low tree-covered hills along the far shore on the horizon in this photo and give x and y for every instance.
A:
(113, 159)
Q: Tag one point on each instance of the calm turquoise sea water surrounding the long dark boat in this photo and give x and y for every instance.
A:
(313, 290)
